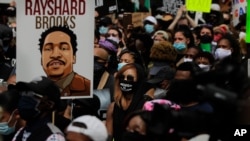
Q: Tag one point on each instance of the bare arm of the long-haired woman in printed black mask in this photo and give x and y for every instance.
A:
(109, 121)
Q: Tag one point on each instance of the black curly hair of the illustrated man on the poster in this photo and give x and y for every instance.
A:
(64, 29)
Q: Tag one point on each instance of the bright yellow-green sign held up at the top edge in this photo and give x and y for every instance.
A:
(198, 5)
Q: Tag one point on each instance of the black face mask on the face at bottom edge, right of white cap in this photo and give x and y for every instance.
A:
(134, 136)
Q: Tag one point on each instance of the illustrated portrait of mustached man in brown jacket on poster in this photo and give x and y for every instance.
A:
(58, 47)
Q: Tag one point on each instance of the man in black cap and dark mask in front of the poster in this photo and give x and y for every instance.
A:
(38, 105)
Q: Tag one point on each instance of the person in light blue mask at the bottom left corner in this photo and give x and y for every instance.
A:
(10, 121)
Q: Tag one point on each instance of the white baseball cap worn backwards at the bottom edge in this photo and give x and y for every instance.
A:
(93, 127)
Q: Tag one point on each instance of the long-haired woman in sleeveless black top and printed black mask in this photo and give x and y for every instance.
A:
(131, 91)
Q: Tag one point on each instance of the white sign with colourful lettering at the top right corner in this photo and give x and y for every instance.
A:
(238, 8)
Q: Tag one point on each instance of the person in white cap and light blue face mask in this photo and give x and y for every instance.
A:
(150, 25)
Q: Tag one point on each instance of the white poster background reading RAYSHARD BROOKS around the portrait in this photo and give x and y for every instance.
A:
(36, 16)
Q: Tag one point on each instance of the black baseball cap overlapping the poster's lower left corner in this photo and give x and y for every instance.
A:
(43, 86)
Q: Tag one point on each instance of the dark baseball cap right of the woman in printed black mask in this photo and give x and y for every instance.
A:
(164, 73)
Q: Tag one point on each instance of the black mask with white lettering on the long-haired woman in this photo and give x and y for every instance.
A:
(127, 87)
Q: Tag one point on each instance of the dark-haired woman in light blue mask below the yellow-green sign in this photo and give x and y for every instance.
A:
(183, 39)
